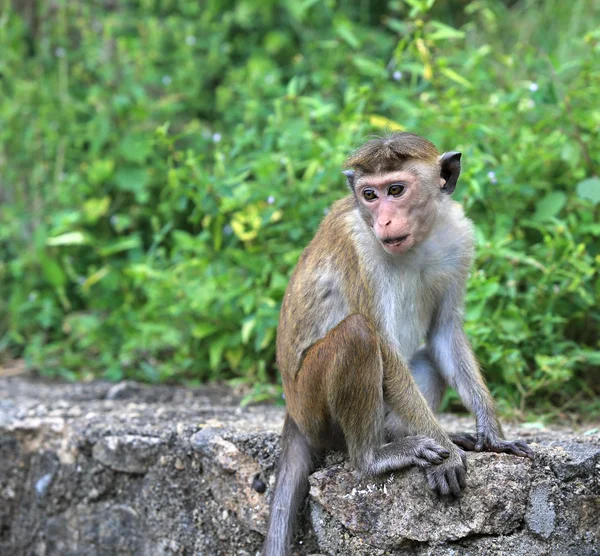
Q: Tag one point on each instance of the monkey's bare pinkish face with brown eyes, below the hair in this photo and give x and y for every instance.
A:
(400, 206)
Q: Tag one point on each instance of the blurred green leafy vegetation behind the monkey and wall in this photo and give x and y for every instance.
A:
(164, 162)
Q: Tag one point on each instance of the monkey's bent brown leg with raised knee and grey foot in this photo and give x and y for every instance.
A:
(348, 357)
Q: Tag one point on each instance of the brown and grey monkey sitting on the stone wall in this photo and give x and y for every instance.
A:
(371, 331)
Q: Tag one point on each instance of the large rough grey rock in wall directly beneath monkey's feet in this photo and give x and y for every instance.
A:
(400, 507)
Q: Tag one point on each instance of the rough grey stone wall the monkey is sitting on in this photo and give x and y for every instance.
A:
(101, 469)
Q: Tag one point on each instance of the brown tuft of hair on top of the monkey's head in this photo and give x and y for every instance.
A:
(384, 154)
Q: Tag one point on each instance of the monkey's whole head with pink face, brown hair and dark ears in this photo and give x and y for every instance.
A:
(400, 184)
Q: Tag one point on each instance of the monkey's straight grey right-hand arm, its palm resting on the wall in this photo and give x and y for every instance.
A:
(454, 358)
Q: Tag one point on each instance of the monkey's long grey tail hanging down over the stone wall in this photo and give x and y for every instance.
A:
(295, 465)
